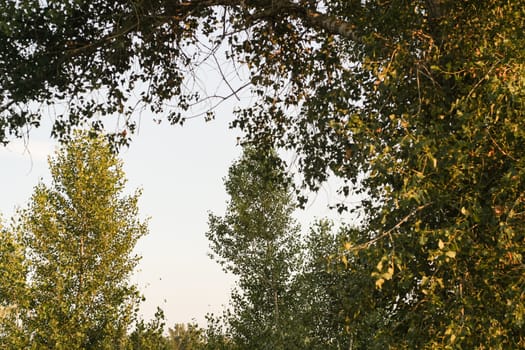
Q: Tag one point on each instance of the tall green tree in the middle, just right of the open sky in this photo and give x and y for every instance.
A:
(258, 241)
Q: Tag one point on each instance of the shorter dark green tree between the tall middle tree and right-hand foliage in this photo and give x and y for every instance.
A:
(340, 306)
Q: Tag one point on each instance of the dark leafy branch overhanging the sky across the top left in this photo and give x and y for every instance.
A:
(85, 50)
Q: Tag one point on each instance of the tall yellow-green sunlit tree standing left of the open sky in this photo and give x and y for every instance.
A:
(79, 233)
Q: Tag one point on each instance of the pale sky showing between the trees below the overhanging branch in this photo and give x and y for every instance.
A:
(181, 172)
